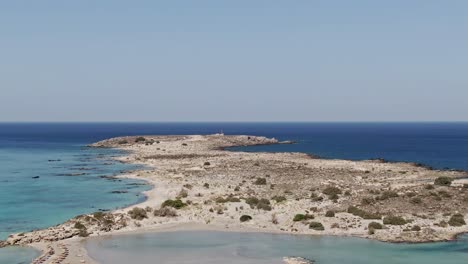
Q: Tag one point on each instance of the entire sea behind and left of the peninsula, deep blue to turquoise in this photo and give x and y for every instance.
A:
(48, 175)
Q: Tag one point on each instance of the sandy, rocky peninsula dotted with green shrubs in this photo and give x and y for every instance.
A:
(199, 185)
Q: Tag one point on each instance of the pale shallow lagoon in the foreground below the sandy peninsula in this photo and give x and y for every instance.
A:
(255, 248)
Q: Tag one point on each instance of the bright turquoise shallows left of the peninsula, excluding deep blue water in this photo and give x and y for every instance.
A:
(42, 185)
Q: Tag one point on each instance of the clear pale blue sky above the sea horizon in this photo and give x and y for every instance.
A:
(88, 60)
